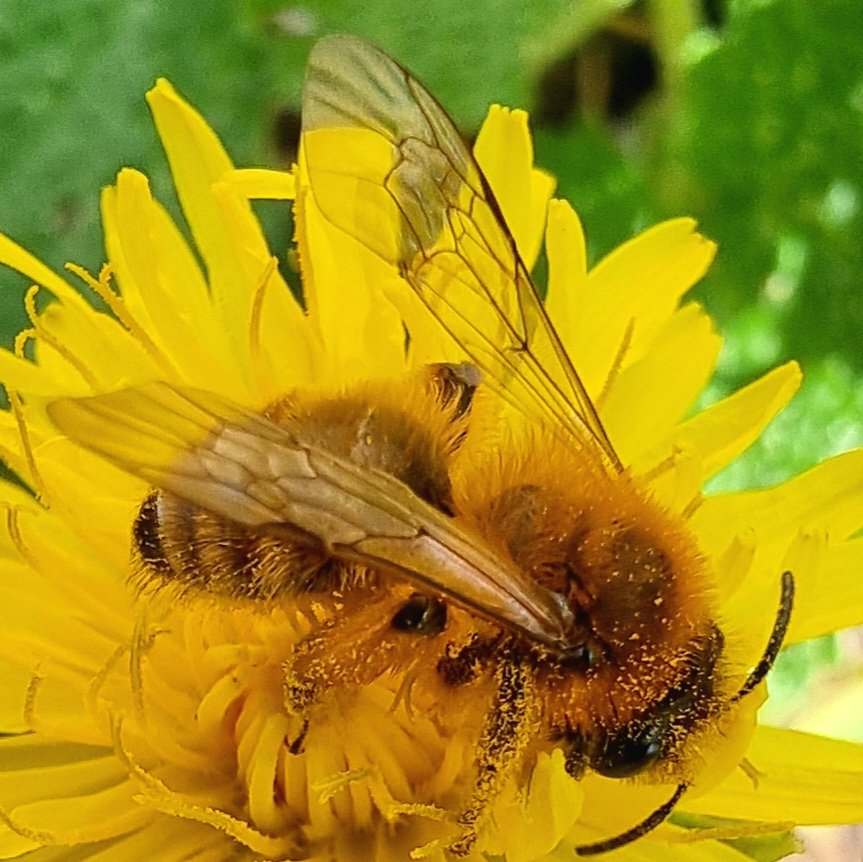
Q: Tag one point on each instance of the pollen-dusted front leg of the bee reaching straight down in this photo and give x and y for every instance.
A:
(504, 739)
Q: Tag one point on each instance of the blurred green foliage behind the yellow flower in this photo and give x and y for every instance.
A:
(746, 114)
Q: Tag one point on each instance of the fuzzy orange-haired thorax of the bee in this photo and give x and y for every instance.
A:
(631, 569)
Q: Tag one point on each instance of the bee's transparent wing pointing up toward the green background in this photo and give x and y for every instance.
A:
(387, 166)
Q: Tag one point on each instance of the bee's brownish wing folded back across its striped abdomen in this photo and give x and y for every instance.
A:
(247, 469)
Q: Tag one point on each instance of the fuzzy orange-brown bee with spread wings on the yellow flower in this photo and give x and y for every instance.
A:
(543, 573)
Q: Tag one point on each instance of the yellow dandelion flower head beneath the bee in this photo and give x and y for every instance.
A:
(142, 727)
